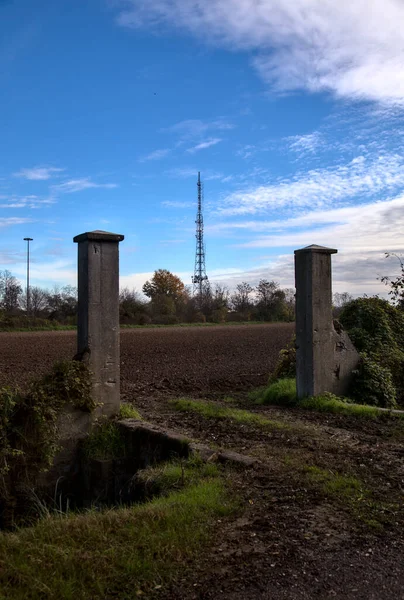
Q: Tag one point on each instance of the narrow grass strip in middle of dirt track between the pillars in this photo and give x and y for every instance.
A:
(211, 410)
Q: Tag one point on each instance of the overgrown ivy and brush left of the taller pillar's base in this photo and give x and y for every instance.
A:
(29, 427)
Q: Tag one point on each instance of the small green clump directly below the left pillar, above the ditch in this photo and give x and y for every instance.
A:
(104, 443)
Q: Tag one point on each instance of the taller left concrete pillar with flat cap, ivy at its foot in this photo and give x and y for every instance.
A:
(98, 314)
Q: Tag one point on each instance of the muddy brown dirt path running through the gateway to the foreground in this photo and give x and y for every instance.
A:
(322, 512)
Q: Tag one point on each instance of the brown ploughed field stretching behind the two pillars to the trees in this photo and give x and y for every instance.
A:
(172, 359)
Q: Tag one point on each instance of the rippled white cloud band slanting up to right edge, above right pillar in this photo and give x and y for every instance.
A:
(320, 187)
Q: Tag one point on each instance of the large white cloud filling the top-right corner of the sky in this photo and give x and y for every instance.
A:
(353, 49)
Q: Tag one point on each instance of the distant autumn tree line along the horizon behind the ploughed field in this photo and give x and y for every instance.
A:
(165, 300)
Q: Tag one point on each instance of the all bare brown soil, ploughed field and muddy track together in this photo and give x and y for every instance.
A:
(293, 538)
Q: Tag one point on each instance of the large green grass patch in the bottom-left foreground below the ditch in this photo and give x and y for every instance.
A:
(123, 553)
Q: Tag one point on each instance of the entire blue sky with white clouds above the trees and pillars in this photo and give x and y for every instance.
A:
(293, 115)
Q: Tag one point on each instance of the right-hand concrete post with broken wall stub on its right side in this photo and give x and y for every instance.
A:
(325, 357)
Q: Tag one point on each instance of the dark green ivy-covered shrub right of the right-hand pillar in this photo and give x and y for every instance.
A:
(377, 330)
